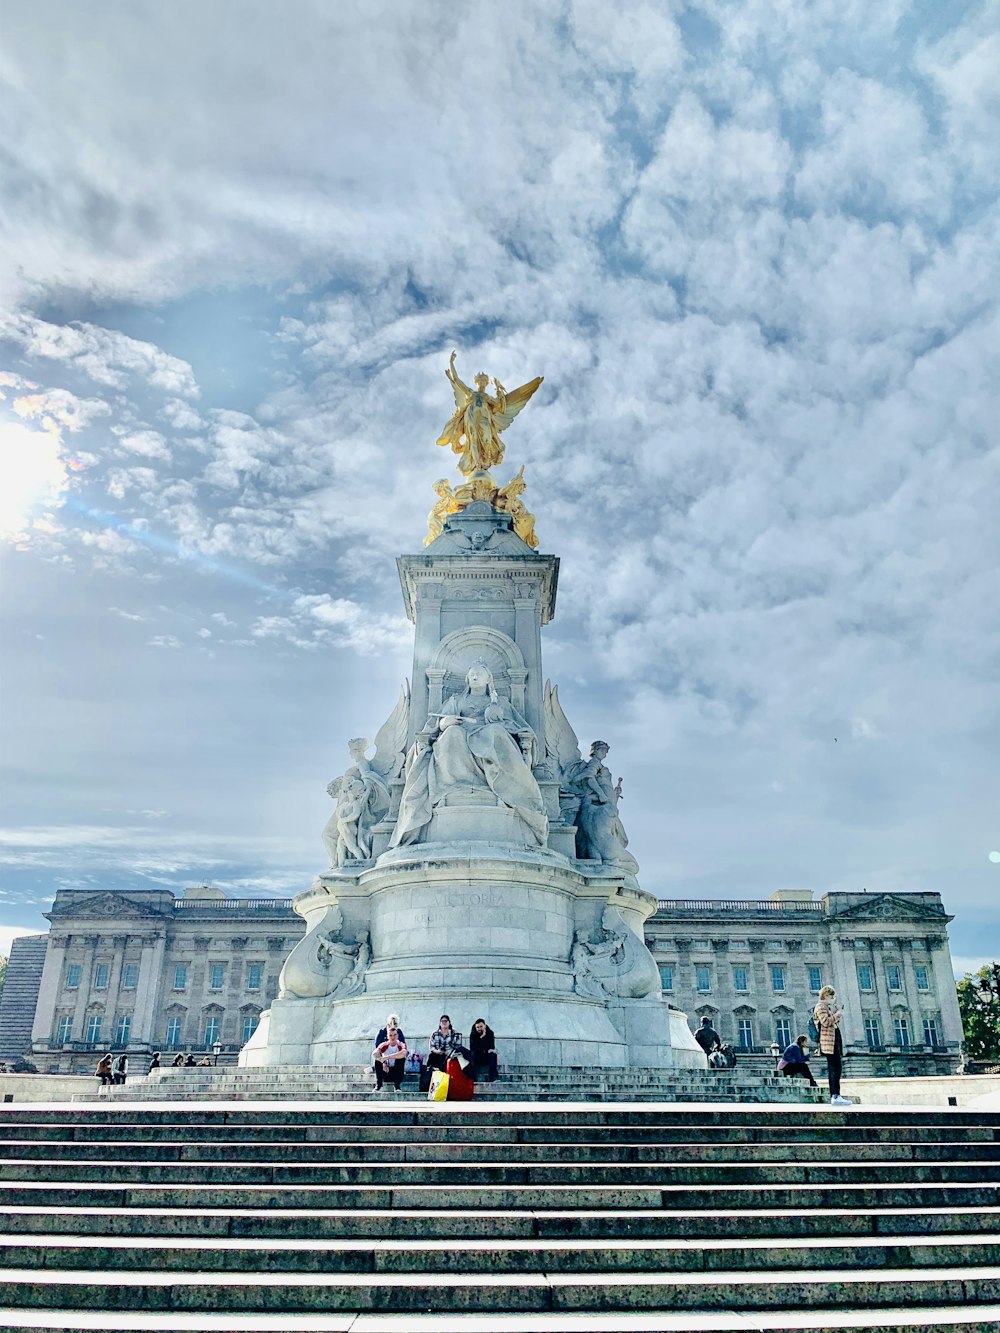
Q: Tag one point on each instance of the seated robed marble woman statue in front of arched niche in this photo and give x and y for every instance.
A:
(479, 743)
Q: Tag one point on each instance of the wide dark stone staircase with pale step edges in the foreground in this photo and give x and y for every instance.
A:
(487, 1219)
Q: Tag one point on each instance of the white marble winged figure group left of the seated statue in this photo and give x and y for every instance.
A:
(363, 791)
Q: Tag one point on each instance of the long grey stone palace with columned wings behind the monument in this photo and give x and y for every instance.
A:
(145, 971)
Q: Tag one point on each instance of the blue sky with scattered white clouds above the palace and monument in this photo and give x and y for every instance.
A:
(754, 251)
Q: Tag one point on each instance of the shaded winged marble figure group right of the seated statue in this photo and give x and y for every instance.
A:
(589, 796)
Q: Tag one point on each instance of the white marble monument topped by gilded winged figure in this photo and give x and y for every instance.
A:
(478, 862)
